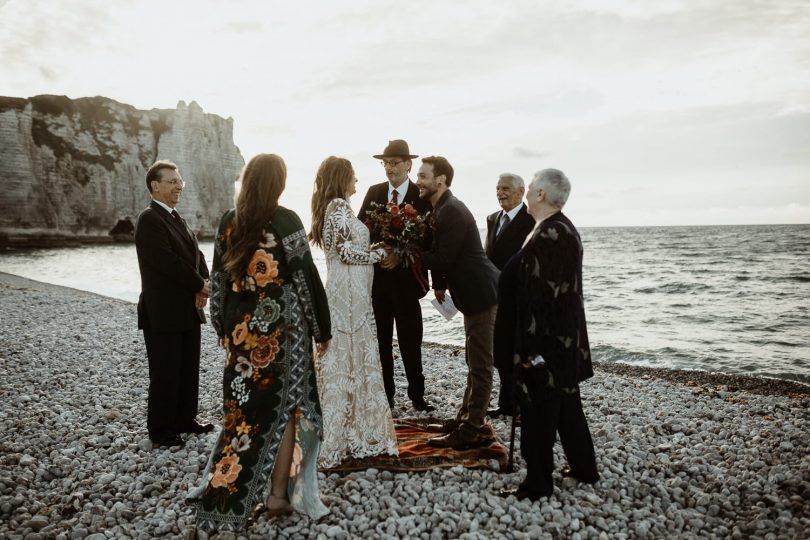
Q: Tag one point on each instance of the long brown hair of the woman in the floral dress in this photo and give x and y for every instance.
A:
(263, 179)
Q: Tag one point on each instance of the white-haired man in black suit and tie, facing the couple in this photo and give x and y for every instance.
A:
(506, 231)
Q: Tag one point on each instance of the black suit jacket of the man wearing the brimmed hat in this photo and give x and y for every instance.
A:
(399, 278)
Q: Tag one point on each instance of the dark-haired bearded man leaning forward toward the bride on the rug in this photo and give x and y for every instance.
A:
(457, 261)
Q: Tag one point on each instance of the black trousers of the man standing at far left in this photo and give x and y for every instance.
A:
(174, 380)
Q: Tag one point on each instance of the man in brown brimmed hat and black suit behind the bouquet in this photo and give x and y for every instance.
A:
(395, 292)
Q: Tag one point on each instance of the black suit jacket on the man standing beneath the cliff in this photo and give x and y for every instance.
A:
(172, 268)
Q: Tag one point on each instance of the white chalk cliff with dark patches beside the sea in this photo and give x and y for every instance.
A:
(77, 167)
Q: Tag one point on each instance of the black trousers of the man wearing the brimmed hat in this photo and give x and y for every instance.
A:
(407, 314)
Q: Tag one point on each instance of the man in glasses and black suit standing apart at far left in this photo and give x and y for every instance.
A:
(174, 289)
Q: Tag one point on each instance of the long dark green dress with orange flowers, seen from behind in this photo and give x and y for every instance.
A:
(267, 320)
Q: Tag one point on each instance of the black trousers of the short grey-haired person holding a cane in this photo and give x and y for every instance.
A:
(547, 413)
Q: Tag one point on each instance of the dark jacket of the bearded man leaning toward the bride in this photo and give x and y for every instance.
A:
(457, 259)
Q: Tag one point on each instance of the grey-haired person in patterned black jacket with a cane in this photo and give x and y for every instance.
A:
(553, 349)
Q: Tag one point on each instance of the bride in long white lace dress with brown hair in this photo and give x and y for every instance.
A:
(356, 417)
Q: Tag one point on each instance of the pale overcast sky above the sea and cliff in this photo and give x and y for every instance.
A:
(660, 112)
